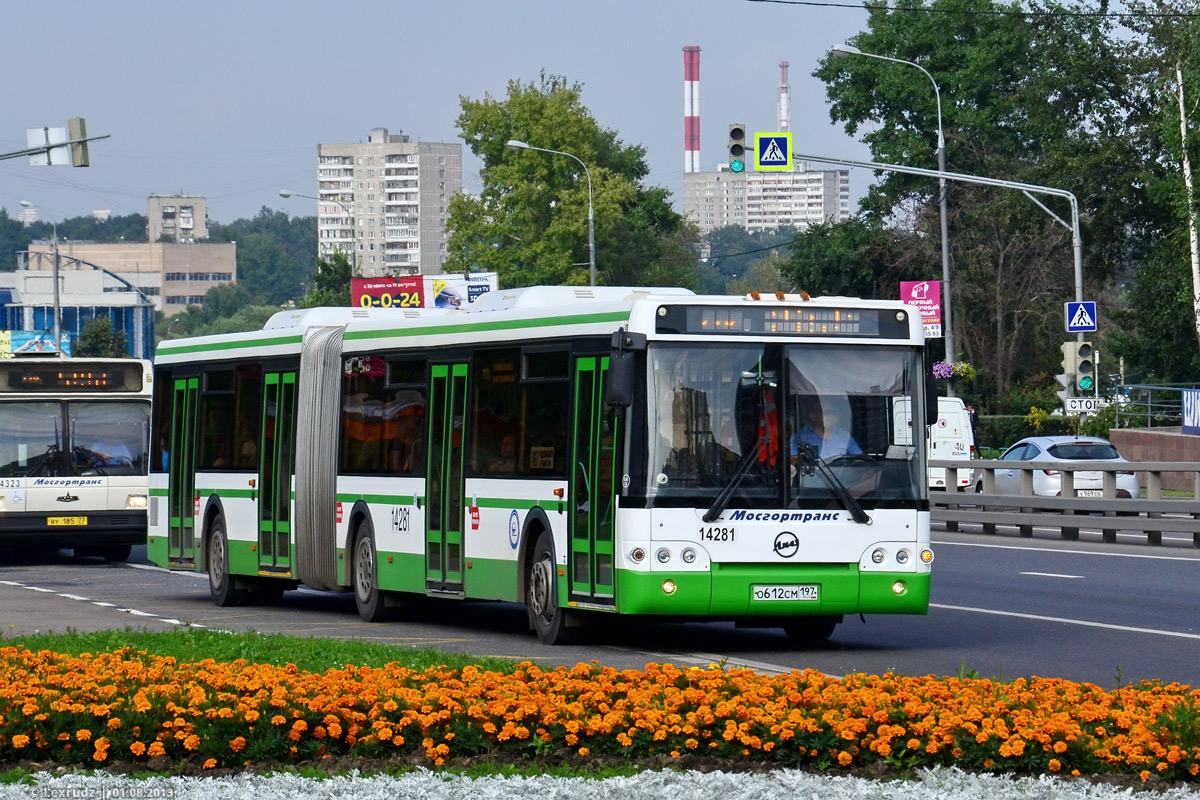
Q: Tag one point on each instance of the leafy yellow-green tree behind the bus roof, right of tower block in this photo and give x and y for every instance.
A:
(531, 221)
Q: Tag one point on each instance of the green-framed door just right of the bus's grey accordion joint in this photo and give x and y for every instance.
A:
(445, 482)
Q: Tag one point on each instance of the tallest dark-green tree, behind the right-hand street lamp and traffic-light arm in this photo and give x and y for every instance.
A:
(1035, 97)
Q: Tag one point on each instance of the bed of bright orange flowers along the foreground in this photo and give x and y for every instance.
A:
(130, 706)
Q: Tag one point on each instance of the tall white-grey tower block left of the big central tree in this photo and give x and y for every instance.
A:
(387, 201)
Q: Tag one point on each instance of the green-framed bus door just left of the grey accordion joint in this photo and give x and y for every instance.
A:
(275, 468)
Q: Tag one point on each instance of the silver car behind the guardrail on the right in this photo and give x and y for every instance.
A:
(1048, 483)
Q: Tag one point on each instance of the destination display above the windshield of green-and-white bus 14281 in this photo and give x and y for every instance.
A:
(776, 321)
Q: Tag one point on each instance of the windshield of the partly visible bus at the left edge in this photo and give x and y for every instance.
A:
(74, 438)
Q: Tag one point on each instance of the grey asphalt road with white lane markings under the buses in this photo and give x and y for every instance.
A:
(1003, 607)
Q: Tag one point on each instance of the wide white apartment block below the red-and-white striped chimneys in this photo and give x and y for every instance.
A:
(766, 201)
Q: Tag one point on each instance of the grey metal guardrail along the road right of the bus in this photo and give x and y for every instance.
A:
(1154, 515)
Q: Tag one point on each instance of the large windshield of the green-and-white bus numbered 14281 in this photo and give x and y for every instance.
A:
(785, 424)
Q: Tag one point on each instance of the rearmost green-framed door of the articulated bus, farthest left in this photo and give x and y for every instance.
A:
(182, 500)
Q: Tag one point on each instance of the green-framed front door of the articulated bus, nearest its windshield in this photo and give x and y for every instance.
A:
(593, 486)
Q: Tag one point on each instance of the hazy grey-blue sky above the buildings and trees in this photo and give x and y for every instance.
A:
(229, 99)
